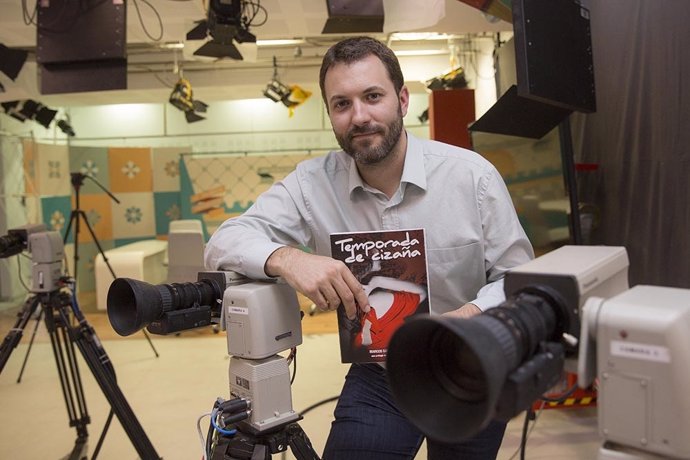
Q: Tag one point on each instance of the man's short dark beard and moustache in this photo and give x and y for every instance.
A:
(371, 154)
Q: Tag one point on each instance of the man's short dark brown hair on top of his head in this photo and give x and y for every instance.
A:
(355, 49)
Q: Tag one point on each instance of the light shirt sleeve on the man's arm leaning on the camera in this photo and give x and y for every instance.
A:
(244, 243)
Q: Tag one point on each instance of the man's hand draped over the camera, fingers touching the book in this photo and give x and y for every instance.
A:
(325, 281)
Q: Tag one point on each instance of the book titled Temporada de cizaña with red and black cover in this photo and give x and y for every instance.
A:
(392, 267)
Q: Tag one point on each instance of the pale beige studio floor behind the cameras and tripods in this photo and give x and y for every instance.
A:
(168, 393)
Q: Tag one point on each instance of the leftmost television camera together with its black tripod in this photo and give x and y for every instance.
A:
(54, 299)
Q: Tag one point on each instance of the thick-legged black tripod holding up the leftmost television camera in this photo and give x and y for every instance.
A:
(68, 328)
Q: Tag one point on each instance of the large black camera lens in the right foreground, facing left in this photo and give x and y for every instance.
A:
(448, 375)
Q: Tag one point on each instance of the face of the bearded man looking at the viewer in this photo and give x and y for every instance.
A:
(365, 111)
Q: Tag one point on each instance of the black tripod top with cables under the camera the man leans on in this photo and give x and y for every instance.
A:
(245, 445)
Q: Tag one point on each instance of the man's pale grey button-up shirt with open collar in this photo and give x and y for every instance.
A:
(472, 232)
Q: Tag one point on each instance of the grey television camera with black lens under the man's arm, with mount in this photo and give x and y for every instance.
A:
(262, 319)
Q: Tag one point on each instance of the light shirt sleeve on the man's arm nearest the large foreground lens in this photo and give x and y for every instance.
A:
(505, 243)
